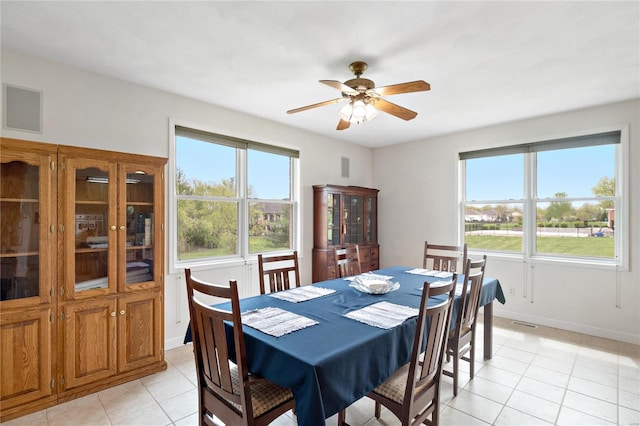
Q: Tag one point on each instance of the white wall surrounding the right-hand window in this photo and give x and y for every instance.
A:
(418, 182)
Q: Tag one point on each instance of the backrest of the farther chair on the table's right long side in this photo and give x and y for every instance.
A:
(470, 296)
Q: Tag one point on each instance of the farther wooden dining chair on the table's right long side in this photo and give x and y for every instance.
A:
(461, 344)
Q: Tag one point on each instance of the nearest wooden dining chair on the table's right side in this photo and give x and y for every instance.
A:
(412, 393)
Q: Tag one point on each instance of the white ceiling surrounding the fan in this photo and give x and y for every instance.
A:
(487, 62)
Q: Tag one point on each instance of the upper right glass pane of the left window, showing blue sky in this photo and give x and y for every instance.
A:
(268, 175)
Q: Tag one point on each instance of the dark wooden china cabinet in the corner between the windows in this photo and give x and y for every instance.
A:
(343, 216)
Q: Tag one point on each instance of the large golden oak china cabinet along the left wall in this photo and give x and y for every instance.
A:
(82, 272)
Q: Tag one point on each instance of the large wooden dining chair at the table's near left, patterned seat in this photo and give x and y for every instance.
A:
(225, 388)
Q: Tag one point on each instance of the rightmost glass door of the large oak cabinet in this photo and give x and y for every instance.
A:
(137, 220)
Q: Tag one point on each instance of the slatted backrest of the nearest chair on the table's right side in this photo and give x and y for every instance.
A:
(425, 367)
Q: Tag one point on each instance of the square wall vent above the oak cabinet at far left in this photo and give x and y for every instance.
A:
(22, 109)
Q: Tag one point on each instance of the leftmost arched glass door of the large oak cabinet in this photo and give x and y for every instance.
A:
(25, 194)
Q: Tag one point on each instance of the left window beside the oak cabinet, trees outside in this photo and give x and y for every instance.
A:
(232, 198)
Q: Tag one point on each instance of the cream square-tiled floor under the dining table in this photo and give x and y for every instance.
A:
(537, 376)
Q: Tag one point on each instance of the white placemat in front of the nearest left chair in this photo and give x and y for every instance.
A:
(275, 321)
